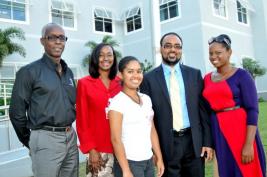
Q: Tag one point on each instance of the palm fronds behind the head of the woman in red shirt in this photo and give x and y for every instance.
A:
(107, 40)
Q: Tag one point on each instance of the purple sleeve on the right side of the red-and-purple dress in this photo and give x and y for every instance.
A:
(249, 98)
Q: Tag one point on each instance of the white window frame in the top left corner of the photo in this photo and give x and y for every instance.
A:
(26, 3)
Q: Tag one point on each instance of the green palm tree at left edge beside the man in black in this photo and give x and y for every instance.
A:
(7, 46)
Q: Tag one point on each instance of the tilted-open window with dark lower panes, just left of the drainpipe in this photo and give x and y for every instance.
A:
(133, 19)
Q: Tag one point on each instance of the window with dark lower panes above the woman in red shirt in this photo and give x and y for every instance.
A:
(103, 20)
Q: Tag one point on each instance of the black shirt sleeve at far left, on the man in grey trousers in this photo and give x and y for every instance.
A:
(19, 104)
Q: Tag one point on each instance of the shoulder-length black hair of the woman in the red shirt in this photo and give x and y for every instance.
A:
(94, 62)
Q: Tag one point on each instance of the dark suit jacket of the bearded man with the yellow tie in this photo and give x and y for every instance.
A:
(154, 85)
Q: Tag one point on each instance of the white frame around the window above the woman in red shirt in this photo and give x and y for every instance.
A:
(106, 14)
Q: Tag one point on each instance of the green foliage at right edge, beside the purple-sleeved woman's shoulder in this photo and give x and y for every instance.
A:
(253, 67)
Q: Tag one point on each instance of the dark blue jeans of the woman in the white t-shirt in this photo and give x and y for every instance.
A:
(144, 168)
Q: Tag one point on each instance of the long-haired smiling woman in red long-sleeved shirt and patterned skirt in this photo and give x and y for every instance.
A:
(93, 93)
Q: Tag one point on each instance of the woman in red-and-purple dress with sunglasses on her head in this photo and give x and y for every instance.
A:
(232, 96)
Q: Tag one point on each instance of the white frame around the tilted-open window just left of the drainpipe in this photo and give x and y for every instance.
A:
(131, 13)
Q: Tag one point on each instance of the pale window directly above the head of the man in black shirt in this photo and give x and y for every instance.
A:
(63, 13)
